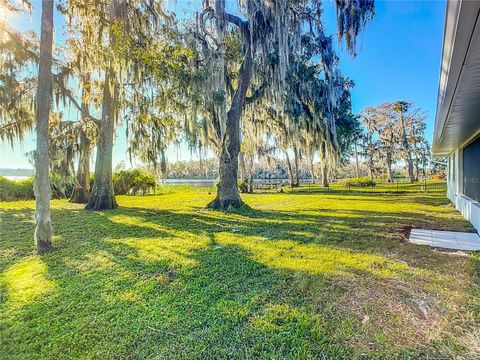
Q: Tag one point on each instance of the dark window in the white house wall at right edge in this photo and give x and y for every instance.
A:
(471, 170)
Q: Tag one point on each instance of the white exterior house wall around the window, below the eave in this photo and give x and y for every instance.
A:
(468, 207)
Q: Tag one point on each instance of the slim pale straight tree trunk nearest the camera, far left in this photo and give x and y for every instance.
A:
(43, 224)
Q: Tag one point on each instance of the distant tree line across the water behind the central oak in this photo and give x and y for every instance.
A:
(382, 142)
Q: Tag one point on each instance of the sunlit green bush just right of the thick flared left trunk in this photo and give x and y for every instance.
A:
(132, 182)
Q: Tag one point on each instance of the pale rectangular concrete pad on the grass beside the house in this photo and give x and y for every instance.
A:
(445, 239)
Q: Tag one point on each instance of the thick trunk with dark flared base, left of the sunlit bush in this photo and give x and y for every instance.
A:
(103, 196)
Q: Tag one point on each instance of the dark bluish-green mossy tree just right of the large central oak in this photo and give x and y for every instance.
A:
(316, 117)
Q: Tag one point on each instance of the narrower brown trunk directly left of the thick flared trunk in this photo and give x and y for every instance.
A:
(81, 192)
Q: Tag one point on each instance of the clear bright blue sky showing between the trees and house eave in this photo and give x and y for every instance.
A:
(398, 58)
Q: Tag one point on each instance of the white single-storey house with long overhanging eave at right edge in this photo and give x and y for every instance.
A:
(457, 124)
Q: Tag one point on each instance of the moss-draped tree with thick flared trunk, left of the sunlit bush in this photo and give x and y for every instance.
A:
(100, 24)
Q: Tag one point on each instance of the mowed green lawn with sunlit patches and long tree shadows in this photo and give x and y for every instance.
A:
(323, 275)
